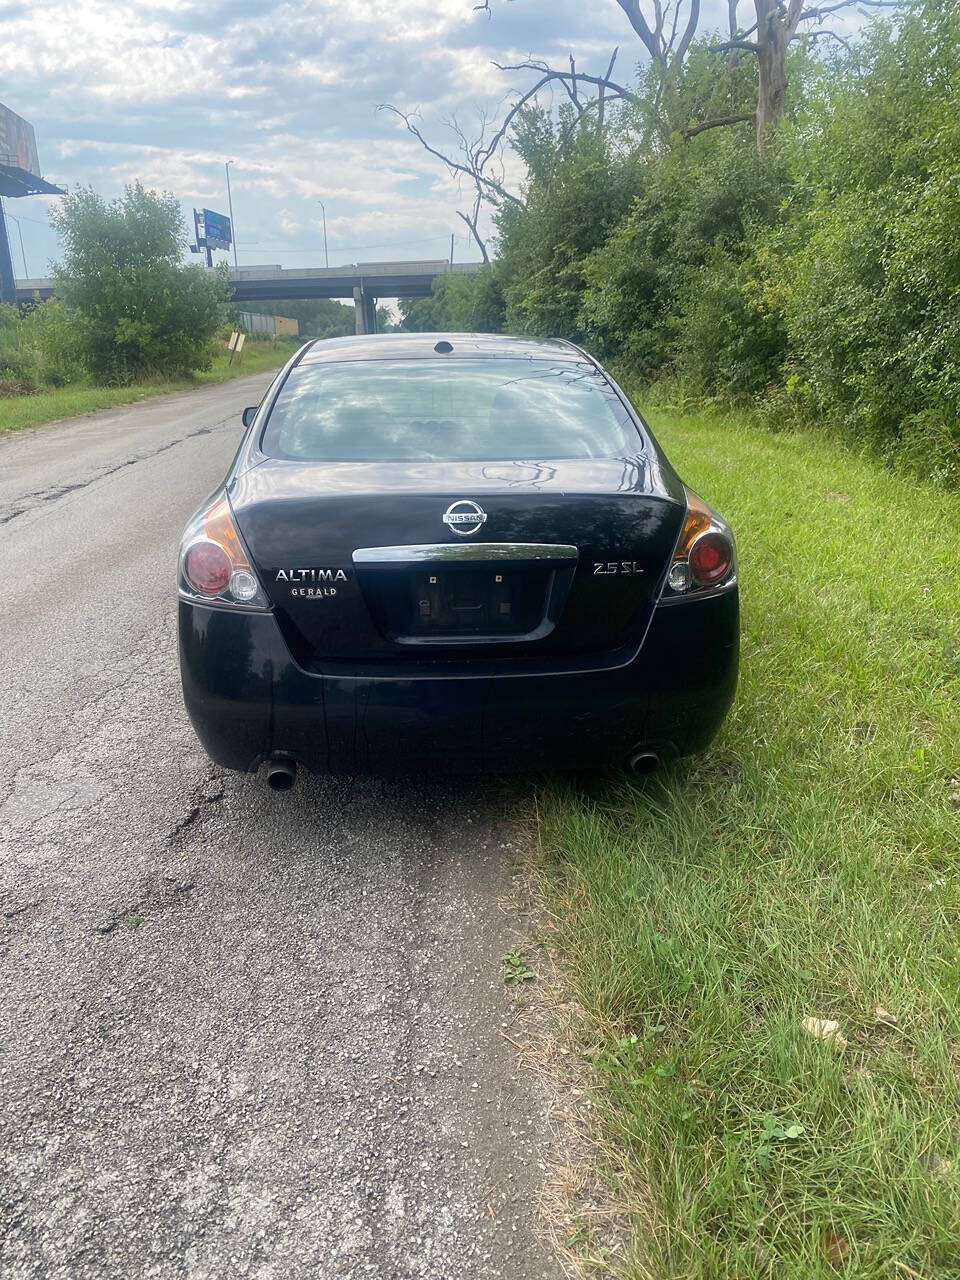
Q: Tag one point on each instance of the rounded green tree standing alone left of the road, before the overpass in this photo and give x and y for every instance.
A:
(141, 309)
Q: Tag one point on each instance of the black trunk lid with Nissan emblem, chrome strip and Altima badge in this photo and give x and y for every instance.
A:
(437, 563)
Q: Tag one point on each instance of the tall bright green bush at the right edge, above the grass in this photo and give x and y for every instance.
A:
(871, 266)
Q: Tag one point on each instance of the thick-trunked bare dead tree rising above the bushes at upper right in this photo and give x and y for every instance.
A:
(779, 24)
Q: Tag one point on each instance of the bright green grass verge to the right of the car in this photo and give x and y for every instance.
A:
(806, 868)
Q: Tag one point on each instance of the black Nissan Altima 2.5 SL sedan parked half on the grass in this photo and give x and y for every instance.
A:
(464, 554)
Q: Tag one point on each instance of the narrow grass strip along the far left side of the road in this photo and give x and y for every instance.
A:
(48, 406)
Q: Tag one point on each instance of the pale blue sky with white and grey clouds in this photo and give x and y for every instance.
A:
(167, 92)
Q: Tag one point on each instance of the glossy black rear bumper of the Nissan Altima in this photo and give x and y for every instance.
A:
(249, 701)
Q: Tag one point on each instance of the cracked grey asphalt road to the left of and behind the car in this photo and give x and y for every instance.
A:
(241, 1034)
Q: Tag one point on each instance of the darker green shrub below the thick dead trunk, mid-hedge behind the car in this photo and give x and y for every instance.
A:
(674, 287)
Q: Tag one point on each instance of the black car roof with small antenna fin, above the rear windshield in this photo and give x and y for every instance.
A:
(423, 346)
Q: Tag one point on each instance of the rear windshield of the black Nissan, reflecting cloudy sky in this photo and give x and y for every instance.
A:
(447, 410)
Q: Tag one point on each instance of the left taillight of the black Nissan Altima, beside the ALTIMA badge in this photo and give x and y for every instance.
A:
(214, 564)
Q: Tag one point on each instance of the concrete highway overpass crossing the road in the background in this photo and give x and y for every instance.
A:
(363, 282)
